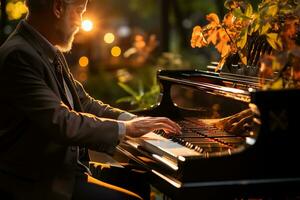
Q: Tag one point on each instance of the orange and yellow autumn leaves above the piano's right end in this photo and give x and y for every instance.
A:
(277, 21)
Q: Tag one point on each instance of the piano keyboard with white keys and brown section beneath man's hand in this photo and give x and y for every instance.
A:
(197, 139)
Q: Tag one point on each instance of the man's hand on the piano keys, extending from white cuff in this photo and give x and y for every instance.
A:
(142, 125)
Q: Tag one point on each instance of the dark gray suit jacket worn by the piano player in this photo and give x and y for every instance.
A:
(39, 131)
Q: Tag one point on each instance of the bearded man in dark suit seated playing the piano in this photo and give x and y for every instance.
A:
(47, 118)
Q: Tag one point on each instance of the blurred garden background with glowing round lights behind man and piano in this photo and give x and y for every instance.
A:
(122, 44)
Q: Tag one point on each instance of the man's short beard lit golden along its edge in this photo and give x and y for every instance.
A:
(66, 35)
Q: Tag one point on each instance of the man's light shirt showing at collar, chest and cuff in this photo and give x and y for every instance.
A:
(50, 51)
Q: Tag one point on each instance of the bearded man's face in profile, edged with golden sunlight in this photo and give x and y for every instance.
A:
(68, 25)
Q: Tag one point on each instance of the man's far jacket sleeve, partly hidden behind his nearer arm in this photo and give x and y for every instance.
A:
(96, 107)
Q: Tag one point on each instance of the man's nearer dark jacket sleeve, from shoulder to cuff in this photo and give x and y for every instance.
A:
(23, 86)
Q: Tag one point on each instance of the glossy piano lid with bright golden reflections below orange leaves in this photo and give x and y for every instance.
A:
(236, 87)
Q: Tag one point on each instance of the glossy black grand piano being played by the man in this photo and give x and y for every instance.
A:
(259, 160)
